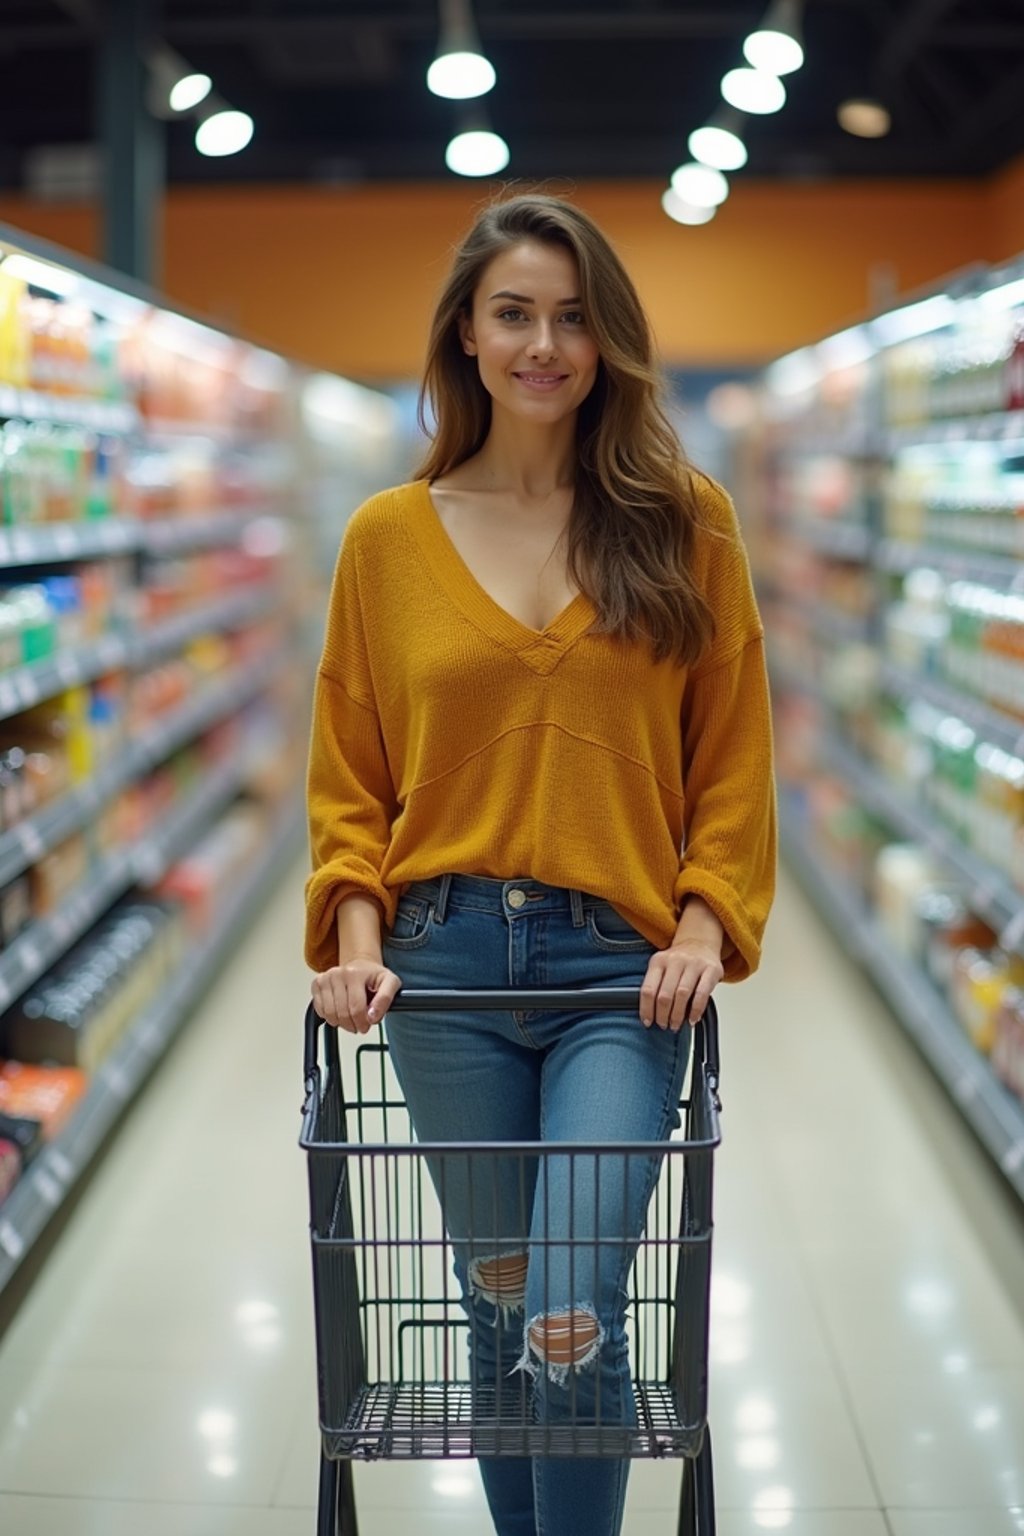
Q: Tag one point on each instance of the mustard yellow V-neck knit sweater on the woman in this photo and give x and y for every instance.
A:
(449, 737)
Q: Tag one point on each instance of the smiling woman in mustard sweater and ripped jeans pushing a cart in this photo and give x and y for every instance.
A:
(543, 756)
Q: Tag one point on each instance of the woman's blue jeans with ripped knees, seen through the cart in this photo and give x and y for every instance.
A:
(547, 1316)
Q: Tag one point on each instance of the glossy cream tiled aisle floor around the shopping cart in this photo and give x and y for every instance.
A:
(868, 1363)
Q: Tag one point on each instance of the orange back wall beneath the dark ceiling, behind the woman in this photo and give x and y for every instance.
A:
(345, 279)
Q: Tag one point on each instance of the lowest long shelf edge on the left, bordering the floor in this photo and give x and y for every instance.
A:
(55, 1174)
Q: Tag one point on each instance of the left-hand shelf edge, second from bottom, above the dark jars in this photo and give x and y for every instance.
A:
(44, 942)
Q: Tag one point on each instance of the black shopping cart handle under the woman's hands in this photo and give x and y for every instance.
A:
(547, 999)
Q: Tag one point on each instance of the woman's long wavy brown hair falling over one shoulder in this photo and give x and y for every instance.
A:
(635, 511)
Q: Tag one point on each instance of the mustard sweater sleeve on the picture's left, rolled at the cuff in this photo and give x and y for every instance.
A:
(351, 796)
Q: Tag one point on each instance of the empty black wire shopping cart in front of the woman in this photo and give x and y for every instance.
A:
(395, 1377)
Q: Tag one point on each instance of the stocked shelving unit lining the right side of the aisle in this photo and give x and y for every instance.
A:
(925, 465)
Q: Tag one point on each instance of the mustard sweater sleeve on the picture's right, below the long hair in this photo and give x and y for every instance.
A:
(728, 776)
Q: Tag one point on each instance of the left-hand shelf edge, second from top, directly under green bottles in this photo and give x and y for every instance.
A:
(50, 545)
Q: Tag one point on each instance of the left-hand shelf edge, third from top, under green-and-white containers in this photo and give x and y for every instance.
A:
(25, 687)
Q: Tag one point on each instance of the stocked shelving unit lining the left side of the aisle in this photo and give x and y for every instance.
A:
(246, 448)
